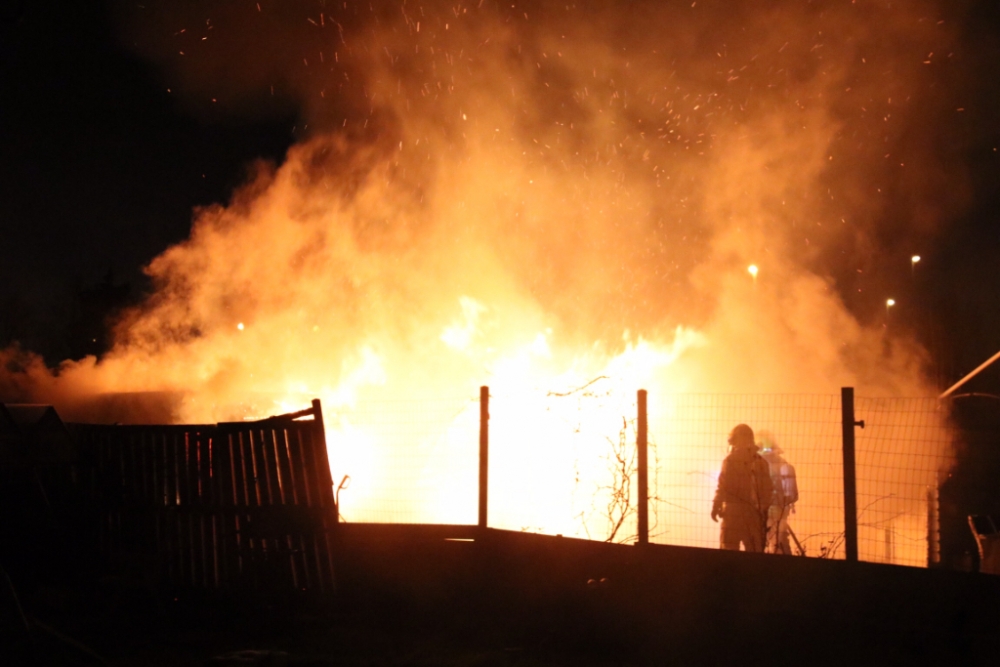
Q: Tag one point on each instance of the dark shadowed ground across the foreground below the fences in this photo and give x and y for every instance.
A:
(407, 597)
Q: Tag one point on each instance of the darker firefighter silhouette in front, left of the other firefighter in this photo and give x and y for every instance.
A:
(744, 494)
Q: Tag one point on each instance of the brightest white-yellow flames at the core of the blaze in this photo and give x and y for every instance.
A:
(551, 416)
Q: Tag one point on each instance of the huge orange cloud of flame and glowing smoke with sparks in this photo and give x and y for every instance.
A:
(534, 200)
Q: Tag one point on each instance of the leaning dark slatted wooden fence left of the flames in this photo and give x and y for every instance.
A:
(244, 506)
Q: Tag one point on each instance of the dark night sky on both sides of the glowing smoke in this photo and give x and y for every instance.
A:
(101, 168)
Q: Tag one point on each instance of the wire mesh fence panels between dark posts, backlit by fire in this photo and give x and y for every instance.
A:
(567, 464)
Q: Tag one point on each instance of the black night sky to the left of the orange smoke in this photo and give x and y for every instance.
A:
(101, 168)
